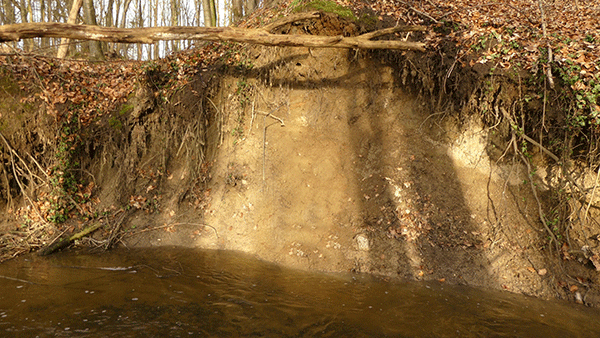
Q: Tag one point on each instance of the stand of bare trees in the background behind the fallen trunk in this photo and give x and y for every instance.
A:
(119, 14)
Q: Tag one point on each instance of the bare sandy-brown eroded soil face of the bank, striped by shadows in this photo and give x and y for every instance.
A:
(334, 160)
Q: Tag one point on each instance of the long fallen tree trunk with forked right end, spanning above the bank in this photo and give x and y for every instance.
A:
(260, 36)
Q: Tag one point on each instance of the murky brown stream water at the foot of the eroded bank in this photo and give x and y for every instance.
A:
(183, 292)
